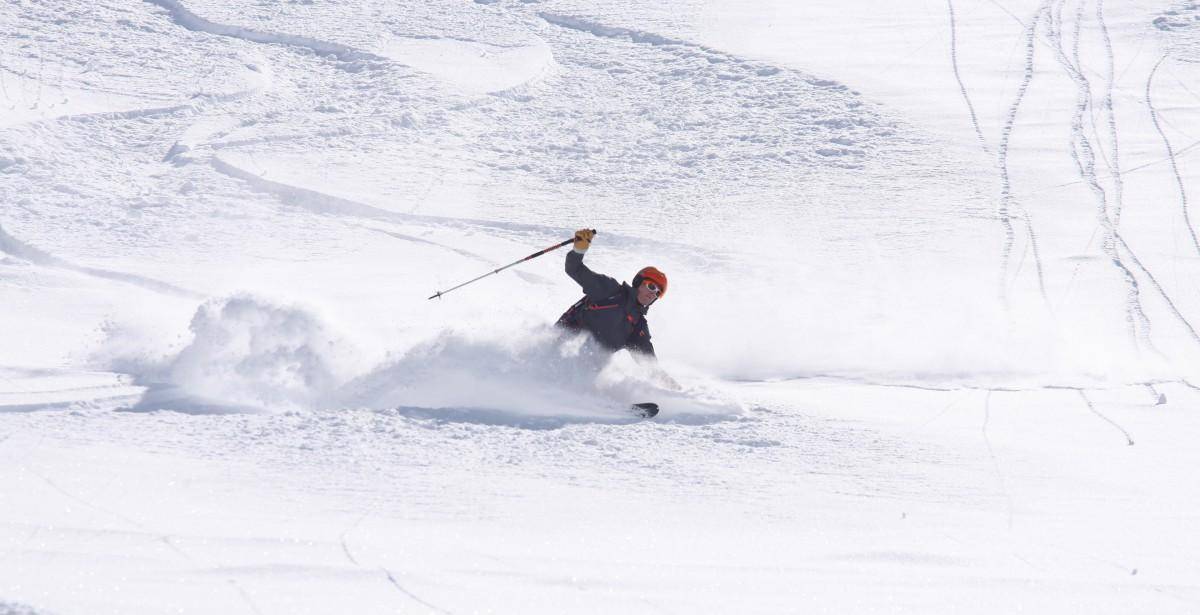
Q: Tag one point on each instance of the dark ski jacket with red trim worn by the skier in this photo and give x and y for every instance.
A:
(609, 311)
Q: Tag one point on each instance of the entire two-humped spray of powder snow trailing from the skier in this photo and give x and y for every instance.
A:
(248, 355)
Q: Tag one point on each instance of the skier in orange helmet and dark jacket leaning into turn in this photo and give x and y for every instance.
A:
(614, 313)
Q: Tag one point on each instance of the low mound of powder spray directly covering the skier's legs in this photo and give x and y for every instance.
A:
(539, 378)
